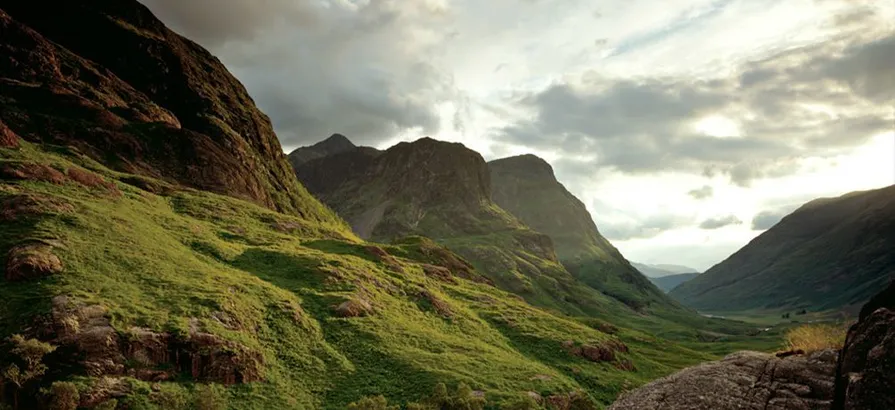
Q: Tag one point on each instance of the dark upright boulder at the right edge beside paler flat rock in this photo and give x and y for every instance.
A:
(866, 375)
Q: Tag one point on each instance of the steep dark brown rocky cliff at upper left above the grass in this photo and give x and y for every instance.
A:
(139, 98)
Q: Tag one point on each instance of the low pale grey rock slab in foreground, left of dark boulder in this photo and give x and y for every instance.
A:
(743, 381)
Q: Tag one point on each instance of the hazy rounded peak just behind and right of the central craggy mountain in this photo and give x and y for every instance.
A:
(527, 187)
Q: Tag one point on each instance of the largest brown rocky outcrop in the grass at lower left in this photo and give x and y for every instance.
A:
(148, 355)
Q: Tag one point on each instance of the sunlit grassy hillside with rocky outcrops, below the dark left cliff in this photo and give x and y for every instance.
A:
(312, 316)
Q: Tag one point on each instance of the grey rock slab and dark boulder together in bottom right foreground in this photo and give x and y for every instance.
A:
(860, 377)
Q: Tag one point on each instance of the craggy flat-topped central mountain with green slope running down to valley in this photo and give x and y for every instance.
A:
(443, 191)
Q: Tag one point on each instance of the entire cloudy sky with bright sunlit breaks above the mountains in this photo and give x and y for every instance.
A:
(687, 126)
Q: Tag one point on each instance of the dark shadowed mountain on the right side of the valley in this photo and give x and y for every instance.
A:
(830, 254)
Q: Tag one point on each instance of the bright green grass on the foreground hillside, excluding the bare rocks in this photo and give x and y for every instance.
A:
(162, 262)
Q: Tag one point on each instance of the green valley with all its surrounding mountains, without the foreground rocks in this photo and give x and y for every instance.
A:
(161, 251)
